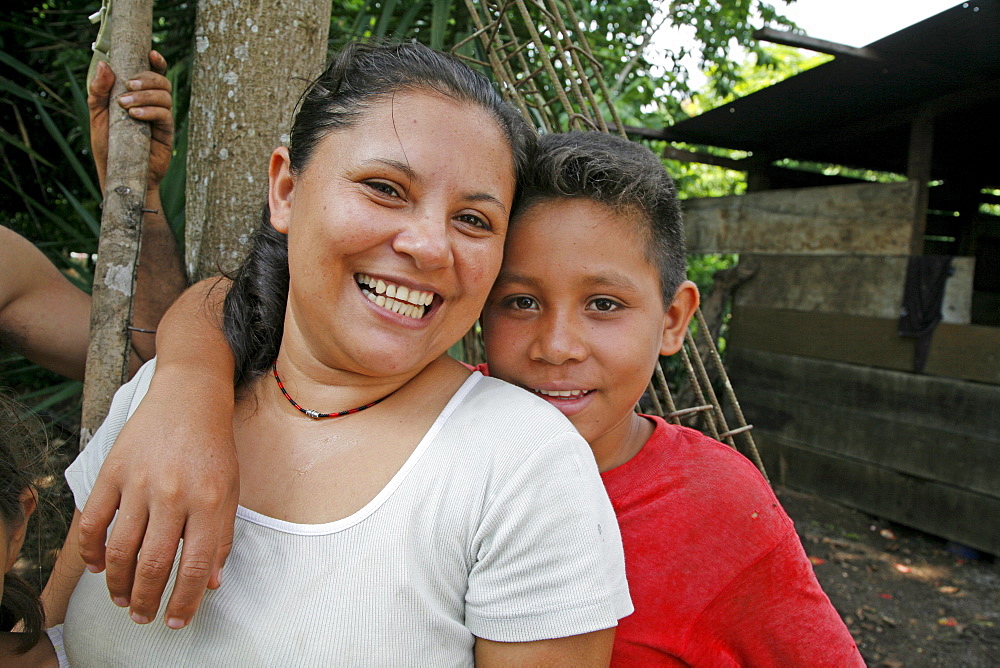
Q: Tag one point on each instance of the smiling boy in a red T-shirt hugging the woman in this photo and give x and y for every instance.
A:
(592, 291)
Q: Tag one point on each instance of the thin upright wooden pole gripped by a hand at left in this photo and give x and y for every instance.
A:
(121, 221)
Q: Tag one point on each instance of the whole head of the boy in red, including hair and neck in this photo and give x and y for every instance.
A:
(592, 287)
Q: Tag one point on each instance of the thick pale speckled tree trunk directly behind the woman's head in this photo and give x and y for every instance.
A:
(252, 61)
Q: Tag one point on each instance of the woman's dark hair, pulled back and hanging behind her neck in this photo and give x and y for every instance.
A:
(362, 74)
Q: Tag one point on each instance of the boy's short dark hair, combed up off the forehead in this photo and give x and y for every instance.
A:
(620, 174)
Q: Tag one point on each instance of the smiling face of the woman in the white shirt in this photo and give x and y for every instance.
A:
(395, 233)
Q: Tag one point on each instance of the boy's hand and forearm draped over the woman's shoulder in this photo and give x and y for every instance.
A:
(174, 467)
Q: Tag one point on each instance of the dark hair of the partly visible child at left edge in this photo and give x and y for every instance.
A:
(21, 448)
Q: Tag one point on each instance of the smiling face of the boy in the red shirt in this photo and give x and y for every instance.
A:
(577, 309)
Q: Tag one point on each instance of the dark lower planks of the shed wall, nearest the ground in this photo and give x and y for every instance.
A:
(921, 451)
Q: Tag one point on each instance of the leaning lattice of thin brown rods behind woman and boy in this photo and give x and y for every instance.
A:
(540, 57)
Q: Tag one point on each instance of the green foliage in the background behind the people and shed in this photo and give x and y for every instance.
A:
(49, 192)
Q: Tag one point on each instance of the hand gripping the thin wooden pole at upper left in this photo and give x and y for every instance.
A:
(147, 98)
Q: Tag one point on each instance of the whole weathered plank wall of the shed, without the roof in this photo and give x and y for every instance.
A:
(829, 385)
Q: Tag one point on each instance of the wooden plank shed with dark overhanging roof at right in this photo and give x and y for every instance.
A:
(841, 404)
